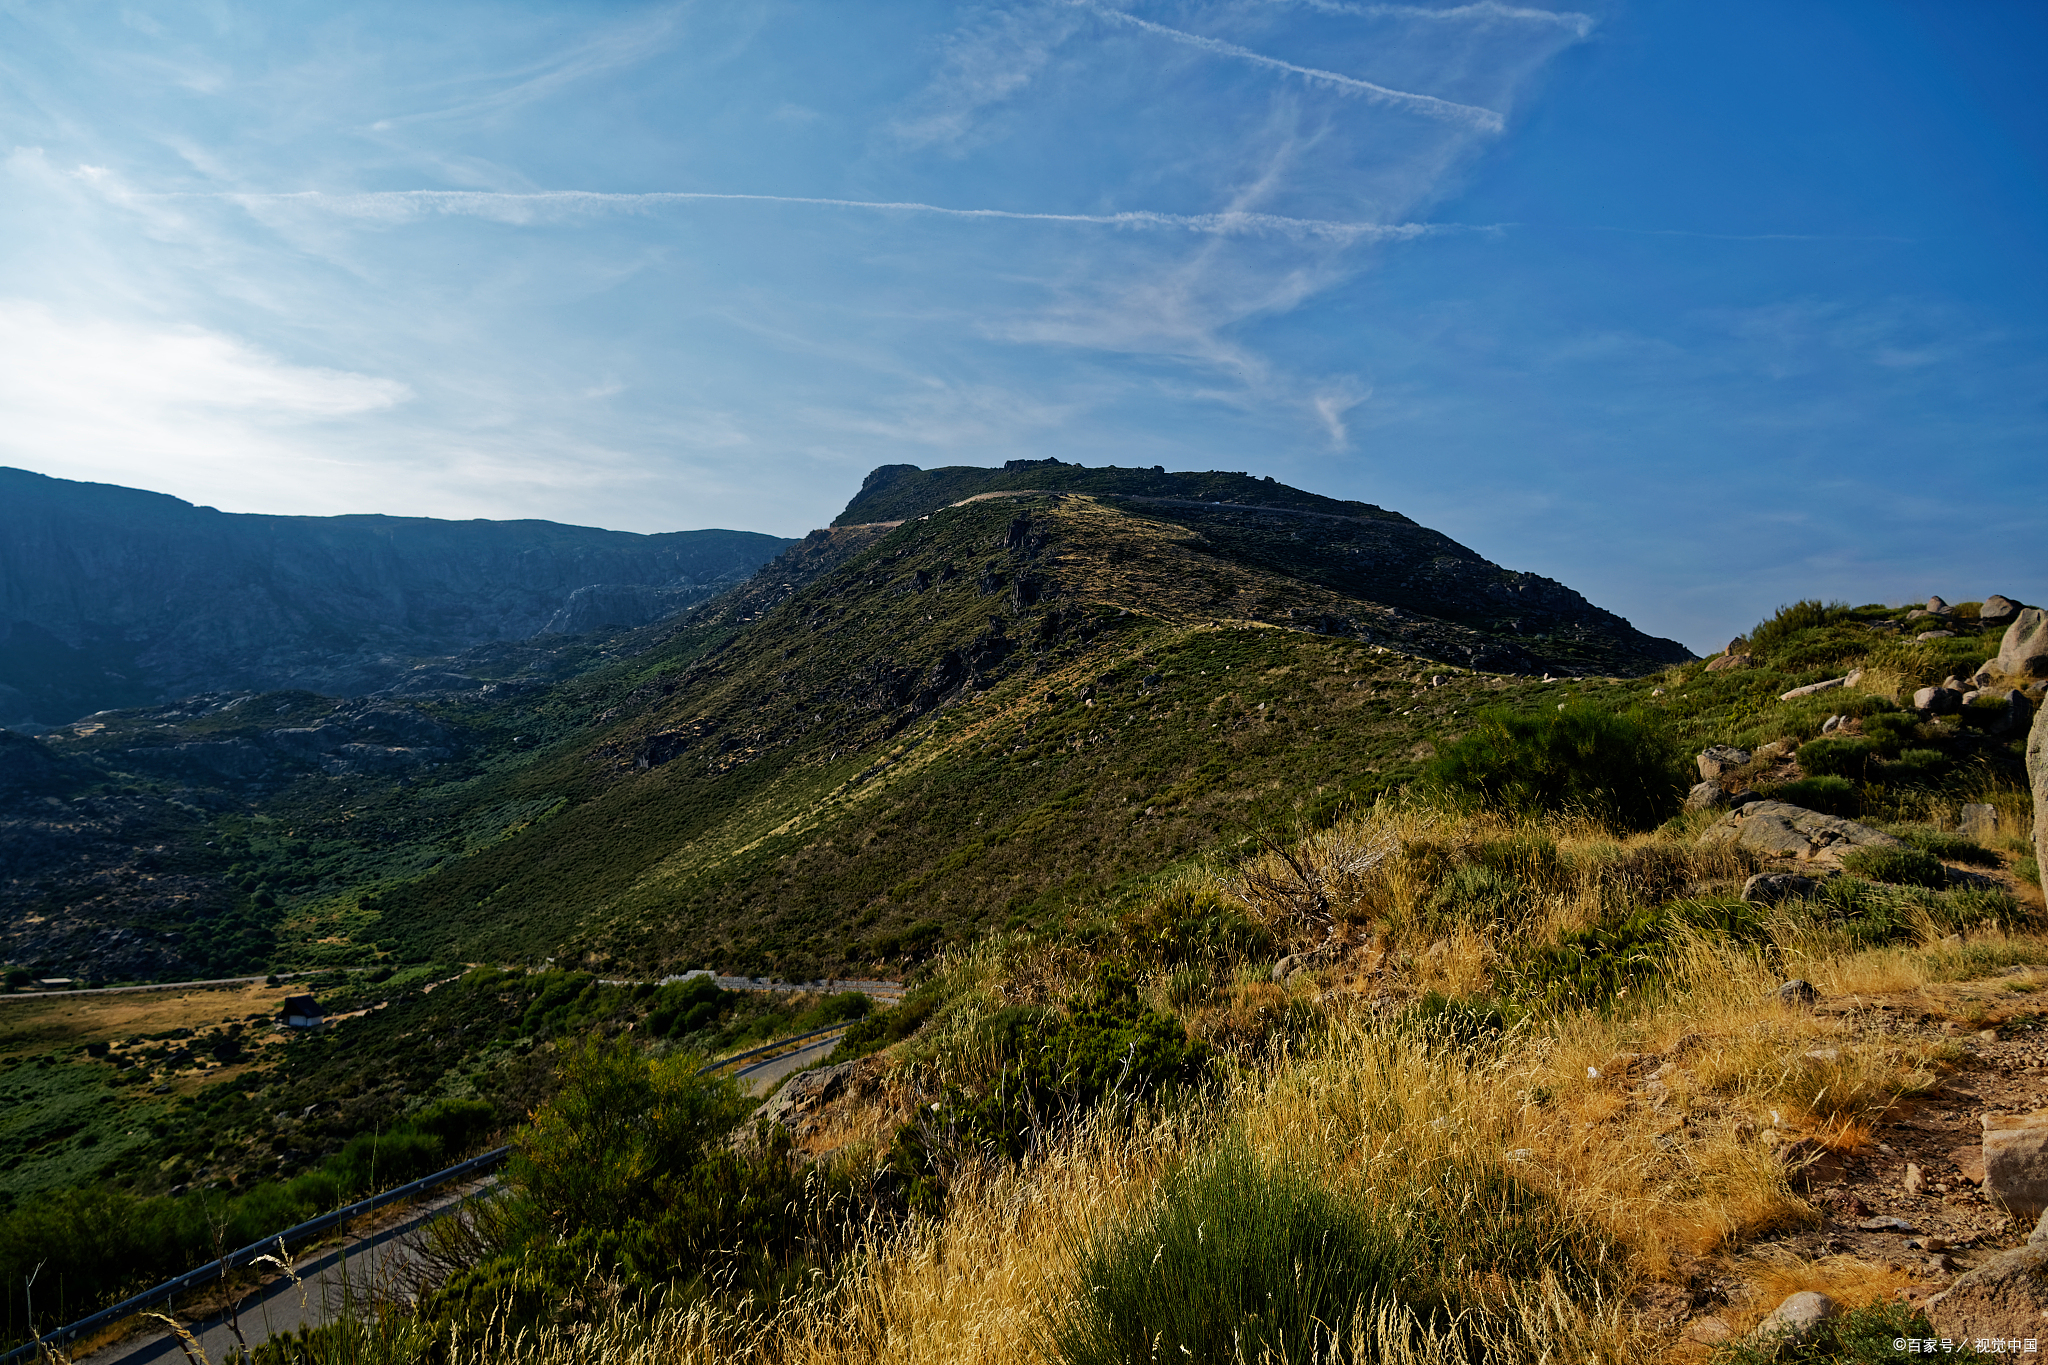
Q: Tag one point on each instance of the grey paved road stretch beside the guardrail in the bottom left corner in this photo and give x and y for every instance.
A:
(329, 1284)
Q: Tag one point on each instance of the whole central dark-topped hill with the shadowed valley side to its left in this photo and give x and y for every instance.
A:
(900, 730)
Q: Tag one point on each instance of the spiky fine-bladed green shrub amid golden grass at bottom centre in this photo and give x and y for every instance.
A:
(1232, 1264)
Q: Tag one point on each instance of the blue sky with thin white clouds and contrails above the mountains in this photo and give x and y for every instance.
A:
(1697, 308)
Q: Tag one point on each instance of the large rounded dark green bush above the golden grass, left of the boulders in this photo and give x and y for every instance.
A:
(1621, 766)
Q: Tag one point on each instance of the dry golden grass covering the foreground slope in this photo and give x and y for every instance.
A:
(1658, 1129)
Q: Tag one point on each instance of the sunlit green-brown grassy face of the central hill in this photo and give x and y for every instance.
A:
(843, 779)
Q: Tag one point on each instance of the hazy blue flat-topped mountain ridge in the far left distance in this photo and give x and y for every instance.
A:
(116, 597)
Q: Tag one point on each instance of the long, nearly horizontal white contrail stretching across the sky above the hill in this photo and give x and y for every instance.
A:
(525, 208)
